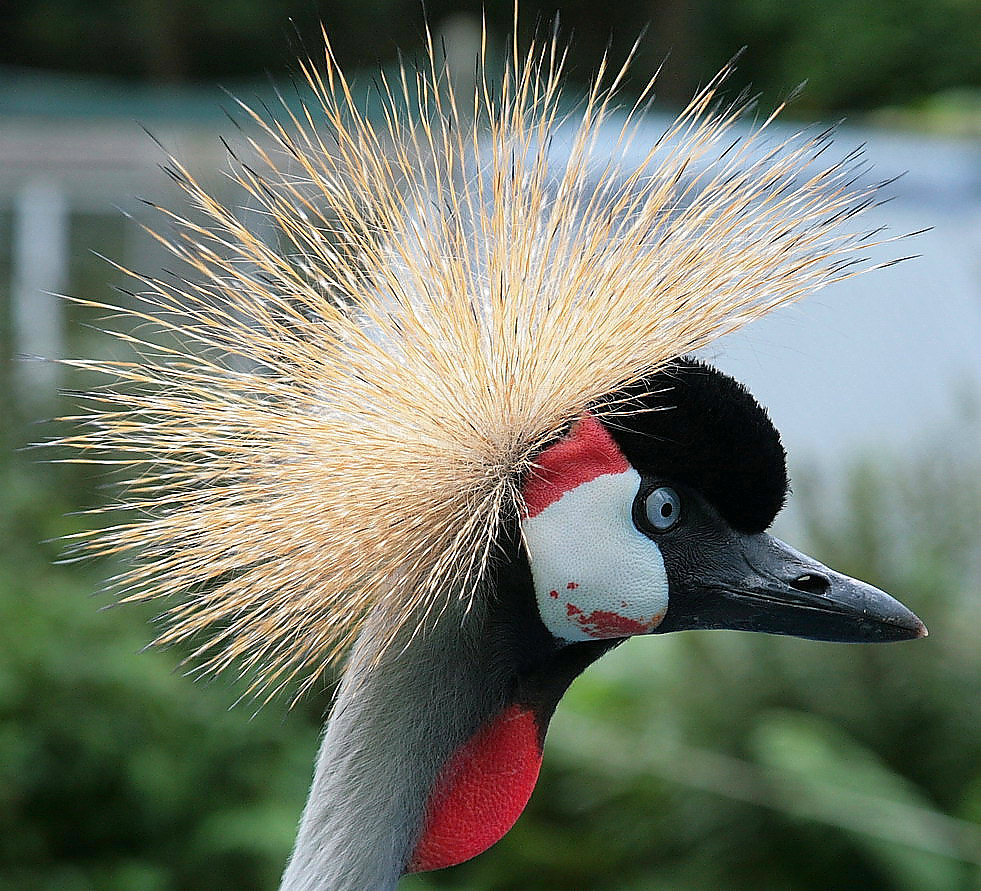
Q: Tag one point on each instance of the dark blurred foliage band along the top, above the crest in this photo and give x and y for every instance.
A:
(856, 54)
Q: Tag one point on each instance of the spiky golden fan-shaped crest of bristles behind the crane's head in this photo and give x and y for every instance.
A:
(346, 411)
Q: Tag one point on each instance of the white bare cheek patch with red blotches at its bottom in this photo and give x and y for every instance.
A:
(595, 574)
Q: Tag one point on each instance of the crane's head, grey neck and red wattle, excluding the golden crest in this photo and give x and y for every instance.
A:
(652, 524)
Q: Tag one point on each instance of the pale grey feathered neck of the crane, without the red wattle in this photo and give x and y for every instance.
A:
(391, 729)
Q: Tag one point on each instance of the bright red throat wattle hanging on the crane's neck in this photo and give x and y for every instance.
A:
(480, 792)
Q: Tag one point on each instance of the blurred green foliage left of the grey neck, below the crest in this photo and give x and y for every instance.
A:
(115, 771)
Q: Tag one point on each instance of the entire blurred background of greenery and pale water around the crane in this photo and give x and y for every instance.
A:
(707, 760)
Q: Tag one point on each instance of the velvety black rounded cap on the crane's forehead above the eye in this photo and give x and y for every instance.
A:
(709, 433)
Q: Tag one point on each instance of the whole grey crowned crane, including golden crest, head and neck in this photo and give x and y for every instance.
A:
(439, 422)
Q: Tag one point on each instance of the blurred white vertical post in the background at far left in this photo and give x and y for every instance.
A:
(39, 270)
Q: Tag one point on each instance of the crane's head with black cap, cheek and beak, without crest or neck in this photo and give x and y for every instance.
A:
(656, 522)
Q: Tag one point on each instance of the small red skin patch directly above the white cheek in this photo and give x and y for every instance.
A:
(586, 453)
